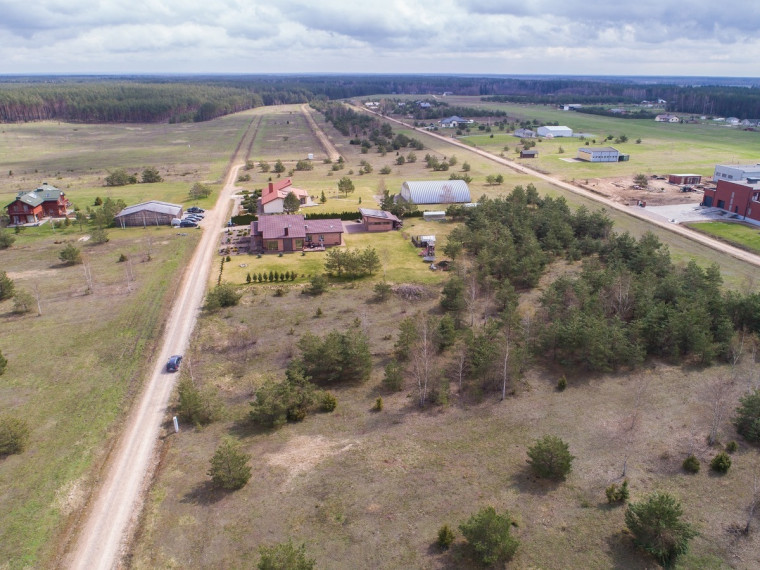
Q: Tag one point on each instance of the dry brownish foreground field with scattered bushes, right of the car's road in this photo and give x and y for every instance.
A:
(370, 490)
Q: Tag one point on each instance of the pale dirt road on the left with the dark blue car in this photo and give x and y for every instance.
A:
(117, 504)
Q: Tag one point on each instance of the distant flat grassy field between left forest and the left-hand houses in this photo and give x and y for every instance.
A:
(76, 158)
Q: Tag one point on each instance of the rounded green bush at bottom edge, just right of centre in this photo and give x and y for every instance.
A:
(488, 536)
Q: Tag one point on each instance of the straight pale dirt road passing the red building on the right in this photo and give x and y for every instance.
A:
(723, 247)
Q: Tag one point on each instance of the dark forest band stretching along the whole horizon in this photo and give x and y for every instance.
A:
(199, 98)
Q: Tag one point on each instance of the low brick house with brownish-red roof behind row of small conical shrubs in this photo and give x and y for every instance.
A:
(291, 232)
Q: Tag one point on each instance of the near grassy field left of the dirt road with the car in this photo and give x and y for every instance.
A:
(74, 369)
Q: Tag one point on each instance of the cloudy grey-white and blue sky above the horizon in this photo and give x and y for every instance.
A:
(591, 37)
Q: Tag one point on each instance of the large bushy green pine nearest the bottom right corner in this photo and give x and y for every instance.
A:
(657, 527)
